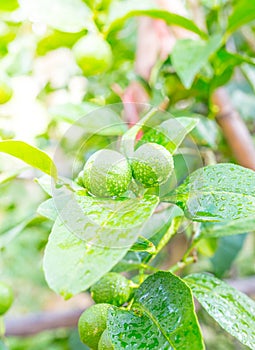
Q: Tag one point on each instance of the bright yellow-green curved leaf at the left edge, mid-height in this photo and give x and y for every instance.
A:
(30, 155)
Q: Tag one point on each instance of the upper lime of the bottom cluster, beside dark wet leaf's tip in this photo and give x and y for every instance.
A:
(112, 288)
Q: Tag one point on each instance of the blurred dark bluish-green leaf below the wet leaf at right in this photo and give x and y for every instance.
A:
(226, 253)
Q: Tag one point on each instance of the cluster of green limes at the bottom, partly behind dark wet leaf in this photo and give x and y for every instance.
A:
(111, 289)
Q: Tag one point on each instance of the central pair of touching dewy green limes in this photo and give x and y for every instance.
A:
(108, 173)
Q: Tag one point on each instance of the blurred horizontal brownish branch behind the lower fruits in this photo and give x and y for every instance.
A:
(24, 326)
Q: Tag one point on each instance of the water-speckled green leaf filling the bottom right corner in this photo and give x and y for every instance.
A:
(233, 310)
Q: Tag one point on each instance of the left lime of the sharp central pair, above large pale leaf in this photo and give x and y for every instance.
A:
(107, 173)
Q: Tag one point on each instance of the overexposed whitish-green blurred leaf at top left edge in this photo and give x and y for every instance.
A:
(65, 15)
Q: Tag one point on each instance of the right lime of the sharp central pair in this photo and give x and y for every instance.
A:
(152, 164)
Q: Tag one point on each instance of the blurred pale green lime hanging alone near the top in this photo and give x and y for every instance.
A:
(93, 54)
